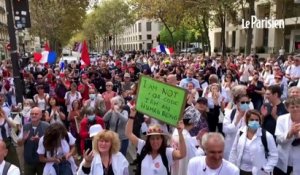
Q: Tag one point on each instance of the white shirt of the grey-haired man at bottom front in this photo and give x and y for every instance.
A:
(197, 166)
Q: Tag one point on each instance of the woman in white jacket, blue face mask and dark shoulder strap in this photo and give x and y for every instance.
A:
(247, 152)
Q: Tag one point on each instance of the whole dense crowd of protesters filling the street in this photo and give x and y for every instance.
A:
(242, 116)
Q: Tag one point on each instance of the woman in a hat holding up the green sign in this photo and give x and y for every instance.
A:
(154, 146)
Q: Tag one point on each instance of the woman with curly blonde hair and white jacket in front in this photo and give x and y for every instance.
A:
(105, 158)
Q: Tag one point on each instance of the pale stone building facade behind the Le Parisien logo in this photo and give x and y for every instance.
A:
(265, 40)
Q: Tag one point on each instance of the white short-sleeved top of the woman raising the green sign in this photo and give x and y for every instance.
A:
(154, 166)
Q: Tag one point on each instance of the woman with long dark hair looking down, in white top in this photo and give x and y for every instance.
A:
(56, 149)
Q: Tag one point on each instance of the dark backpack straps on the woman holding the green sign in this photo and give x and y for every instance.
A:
(143, 154)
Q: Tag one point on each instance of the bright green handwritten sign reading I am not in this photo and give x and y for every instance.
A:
(160, 100)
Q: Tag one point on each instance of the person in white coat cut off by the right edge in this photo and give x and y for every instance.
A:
(288, 138)
